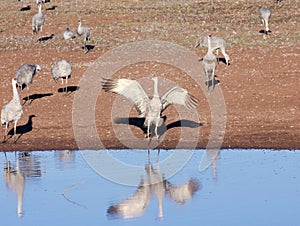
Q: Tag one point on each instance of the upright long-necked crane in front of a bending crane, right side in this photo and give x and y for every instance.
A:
(209, 63)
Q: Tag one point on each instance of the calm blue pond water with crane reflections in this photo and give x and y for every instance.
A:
(242, 187)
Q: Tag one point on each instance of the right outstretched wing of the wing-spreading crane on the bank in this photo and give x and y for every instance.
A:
(178, 95)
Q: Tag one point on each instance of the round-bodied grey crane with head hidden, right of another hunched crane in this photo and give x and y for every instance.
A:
(61, 69)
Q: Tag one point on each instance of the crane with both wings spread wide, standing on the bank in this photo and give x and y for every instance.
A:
(153, 108)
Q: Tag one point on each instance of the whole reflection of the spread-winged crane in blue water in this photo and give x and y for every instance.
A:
(153, 183)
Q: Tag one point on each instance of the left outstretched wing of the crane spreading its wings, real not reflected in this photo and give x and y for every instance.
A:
(130, 89)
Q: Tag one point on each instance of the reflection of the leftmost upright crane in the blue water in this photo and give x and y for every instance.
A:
(15, 181)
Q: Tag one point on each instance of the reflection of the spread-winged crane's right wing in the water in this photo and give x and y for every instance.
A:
(181, 194)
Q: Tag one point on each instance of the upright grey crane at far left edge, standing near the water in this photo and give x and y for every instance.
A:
(12, 111)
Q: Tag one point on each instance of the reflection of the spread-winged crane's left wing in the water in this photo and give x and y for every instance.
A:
(133, 206)
